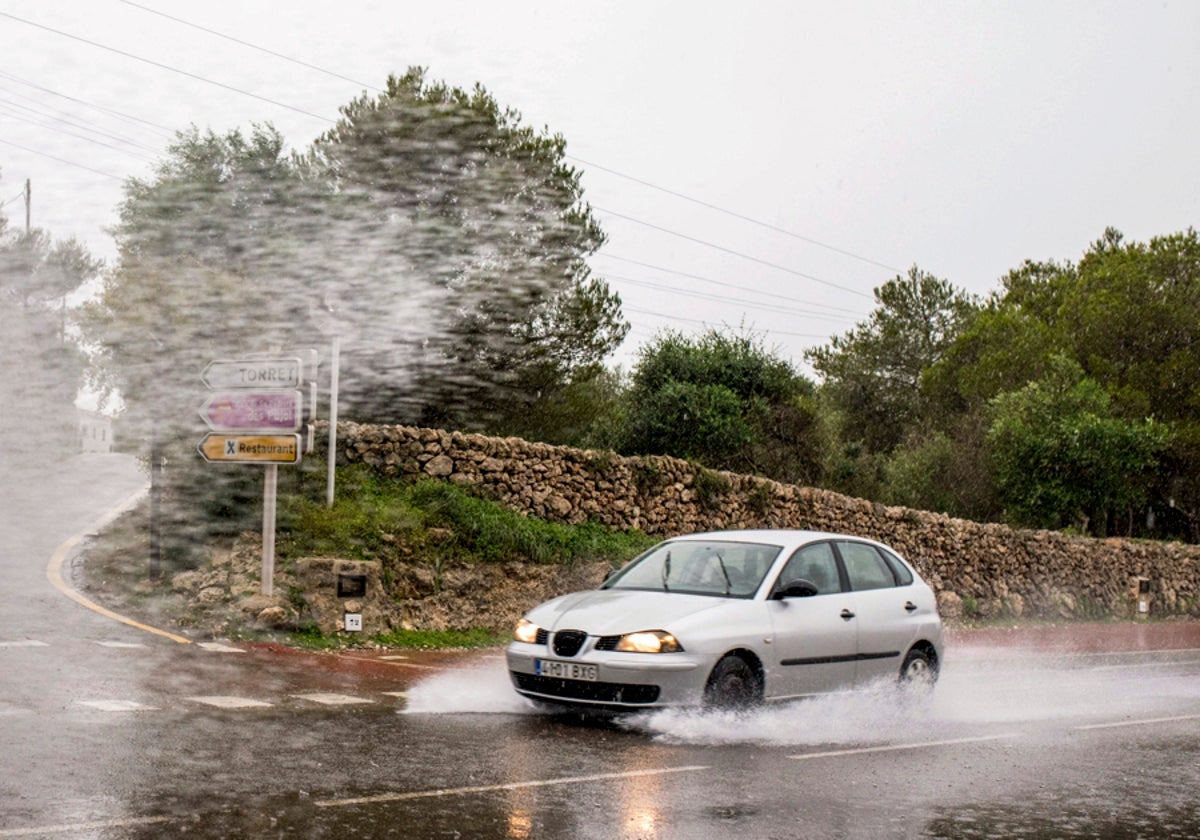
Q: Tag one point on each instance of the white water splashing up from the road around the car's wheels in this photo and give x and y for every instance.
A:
(969, 693)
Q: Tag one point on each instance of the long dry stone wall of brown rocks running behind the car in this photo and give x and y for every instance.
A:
(985, 571)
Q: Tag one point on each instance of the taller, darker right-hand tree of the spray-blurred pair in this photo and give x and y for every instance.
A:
(455, 193)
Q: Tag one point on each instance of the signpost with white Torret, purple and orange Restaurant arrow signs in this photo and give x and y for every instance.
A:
(254, 401)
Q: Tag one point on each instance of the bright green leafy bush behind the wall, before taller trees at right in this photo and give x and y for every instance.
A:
(1060, 457)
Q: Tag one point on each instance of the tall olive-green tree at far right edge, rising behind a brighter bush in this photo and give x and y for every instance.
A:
(1126, 314)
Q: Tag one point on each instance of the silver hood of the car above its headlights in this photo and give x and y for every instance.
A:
(605, 613)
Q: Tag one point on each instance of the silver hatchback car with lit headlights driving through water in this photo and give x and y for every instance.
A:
(730, 620)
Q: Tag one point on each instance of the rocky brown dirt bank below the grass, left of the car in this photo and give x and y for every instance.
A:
(223, 598)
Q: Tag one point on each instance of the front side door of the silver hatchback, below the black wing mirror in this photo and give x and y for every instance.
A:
(815, 644)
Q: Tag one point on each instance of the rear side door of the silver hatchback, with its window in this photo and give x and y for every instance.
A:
(884, 611)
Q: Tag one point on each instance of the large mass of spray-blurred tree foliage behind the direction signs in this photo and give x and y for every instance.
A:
(440, 238)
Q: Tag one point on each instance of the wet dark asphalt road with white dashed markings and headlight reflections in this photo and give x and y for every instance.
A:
(109, 731)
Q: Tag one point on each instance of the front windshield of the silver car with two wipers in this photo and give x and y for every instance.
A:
(716, 568)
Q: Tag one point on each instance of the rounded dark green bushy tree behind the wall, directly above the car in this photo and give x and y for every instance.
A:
(725, 401)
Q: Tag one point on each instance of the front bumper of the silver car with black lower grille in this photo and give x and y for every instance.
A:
(625, 681)
